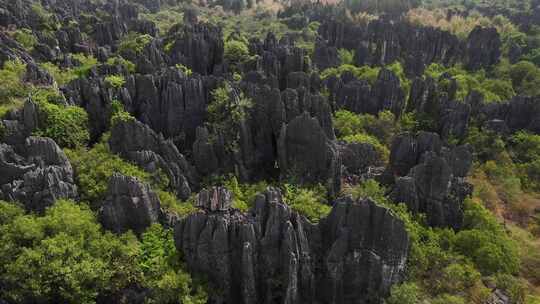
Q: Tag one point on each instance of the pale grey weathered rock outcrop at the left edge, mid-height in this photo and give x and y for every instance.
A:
(37, 176)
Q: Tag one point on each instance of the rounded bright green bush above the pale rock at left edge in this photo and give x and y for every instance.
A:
(67, 125)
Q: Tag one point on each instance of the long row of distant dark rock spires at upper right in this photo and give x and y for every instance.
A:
(383, 42)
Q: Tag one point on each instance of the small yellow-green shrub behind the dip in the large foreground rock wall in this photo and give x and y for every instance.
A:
(310, 202)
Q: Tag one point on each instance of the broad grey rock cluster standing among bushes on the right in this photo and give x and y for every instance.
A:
(429, 178)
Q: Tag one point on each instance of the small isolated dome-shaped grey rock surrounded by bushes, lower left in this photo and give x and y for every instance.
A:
(129, 205)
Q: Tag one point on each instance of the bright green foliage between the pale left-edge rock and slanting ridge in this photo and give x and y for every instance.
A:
(94, 168)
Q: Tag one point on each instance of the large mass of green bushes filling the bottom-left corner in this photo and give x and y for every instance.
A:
(64, 256)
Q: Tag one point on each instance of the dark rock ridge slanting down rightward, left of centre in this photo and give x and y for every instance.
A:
(136, 142)
